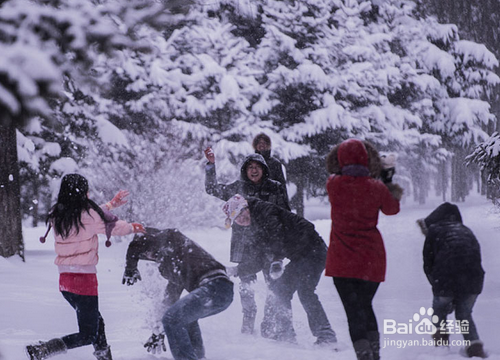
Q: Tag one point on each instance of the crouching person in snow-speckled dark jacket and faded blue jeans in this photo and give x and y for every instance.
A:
(188, 267)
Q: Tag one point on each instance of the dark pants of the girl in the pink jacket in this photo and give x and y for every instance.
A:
(90, 322)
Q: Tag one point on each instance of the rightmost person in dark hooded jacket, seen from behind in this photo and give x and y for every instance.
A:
(452, 264)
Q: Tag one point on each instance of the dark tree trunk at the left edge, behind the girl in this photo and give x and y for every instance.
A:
(11, 235)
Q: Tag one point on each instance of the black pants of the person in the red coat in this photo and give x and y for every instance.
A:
(357, 296)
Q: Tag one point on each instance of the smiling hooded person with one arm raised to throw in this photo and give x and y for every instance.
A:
(254, 182)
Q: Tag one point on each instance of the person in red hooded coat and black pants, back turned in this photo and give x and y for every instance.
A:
(356, 256)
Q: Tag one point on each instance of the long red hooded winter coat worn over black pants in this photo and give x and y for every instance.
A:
(356, 247)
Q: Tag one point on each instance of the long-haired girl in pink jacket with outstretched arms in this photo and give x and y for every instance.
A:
(77, 221)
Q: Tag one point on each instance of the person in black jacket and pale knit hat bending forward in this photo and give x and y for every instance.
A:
(284, 234)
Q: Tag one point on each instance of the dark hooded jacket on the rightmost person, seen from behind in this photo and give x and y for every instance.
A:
(452, 255)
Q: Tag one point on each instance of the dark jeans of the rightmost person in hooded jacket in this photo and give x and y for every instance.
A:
(463, 304)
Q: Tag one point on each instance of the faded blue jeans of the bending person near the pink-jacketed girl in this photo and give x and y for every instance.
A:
(181, 319)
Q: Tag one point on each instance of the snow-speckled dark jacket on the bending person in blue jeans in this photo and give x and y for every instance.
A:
(183, 262)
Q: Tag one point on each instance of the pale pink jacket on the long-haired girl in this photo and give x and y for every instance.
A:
(78, 253)
